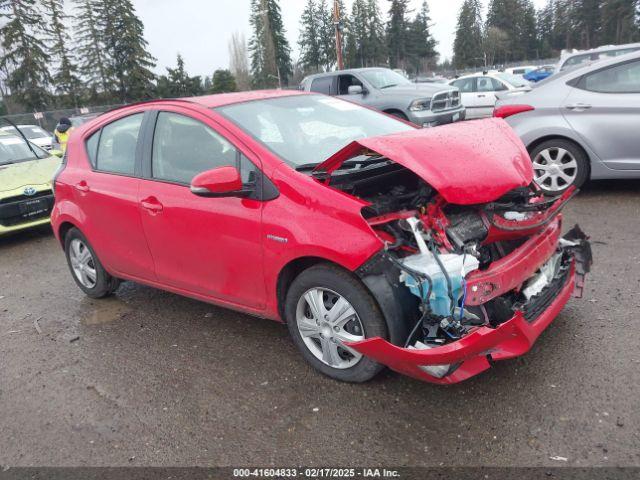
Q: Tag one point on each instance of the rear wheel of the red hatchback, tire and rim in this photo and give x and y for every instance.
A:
(86, 269)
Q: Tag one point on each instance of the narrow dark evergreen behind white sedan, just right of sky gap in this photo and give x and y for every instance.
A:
(467, 46)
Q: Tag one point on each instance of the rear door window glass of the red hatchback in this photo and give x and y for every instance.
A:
(117, 145)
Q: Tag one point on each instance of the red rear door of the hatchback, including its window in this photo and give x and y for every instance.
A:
(108, 197)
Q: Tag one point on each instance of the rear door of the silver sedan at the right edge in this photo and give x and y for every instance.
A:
(604, 109)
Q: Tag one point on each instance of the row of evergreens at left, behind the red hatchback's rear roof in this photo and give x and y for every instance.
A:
(51, 59)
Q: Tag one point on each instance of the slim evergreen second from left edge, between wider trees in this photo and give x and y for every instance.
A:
(66, 80)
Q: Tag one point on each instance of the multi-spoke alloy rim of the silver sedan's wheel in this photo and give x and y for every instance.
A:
(555, 169)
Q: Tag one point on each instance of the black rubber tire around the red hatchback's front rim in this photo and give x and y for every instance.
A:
(343, 283)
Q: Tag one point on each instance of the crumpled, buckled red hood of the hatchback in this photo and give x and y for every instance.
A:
(467, 163)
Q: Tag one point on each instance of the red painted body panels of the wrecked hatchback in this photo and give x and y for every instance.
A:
(232, 251)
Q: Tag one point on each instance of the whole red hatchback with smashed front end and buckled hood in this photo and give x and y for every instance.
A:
(429, 251)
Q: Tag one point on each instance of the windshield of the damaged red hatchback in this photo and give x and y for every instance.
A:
(308, 129)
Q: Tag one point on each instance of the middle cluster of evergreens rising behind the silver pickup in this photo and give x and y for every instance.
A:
(402, 40)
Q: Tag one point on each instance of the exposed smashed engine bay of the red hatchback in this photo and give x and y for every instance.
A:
(456, 268)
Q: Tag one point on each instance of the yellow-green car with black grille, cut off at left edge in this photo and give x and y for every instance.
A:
(26, 174)
